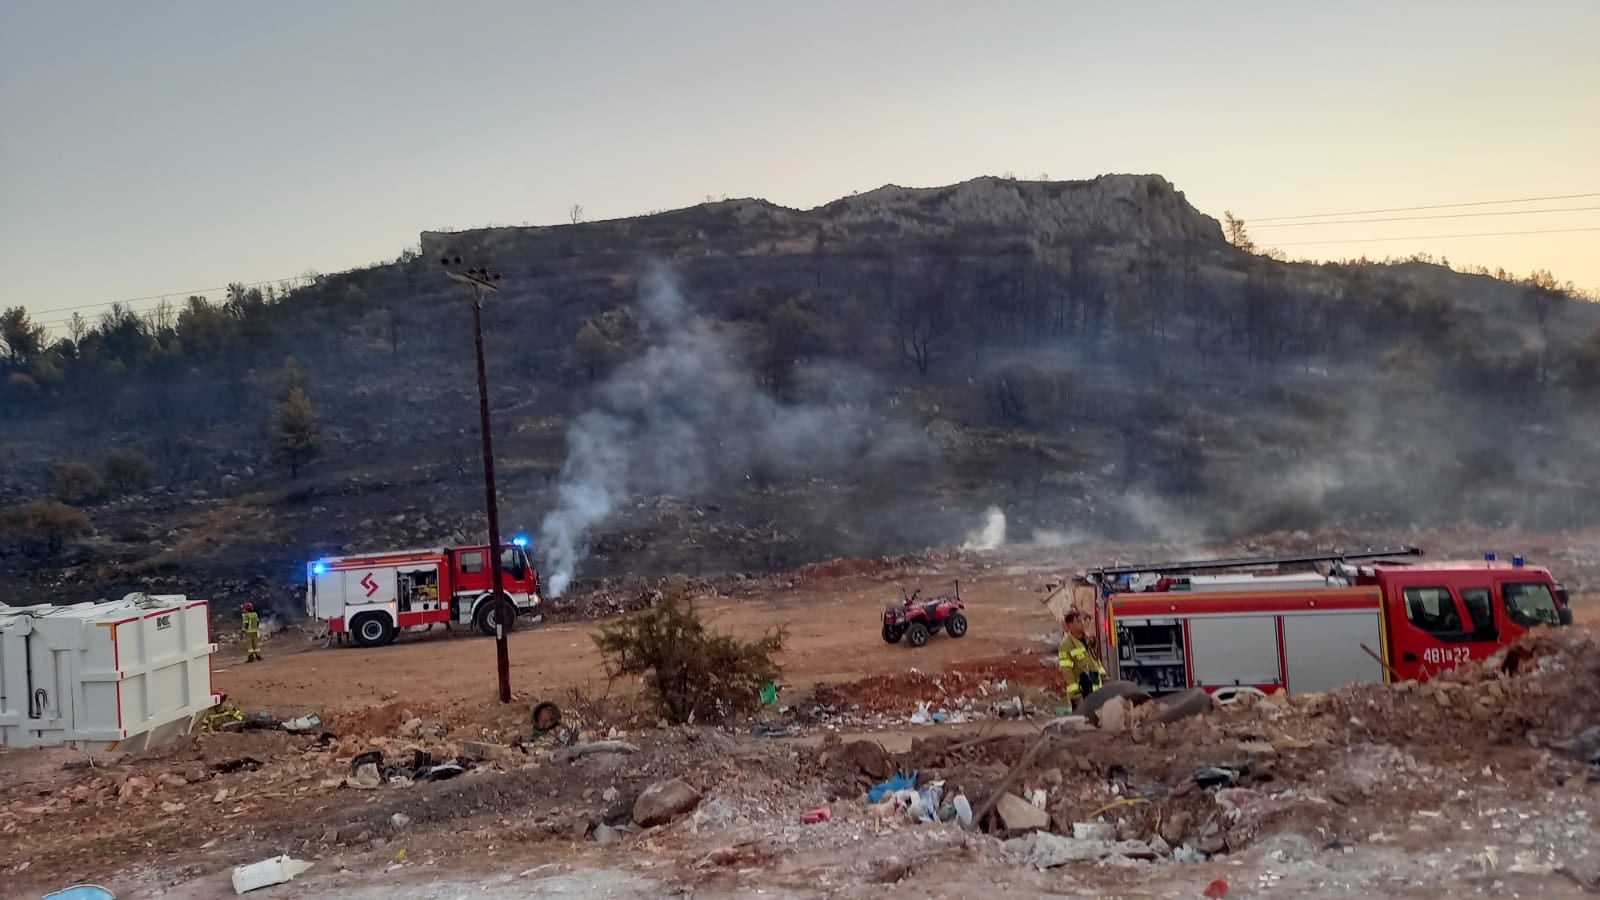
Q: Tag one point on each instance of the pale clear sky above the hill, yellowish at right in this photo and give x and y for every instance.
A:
(183, 145)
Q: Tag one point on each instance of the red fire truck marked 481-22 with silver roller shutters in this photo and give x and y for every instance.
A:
(1258, 625)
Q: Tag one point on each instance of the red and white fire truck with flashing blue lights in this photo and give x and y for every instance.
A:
(370, 598)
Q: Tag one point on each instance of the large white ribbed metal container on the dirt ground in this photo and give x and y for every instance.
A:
(124, 675)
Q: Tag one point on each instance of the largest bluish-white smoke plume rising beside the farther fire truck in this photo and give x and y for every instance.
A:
(687, 414)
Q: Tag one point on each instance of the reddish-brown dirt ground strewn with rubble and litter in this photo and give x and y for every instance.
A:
(1386, 790)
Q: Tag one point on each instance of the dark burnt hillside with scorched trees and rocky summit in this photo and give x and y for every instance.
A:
(860, 379)
